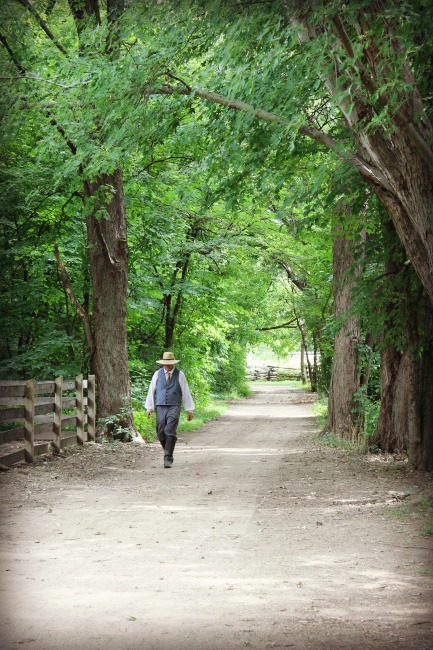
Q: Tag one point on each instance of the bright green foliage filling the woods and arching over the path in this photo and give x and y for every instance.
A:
(231, 219)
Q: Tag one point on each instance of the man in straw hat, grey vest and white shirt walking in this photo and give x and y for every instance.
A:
(167, 391)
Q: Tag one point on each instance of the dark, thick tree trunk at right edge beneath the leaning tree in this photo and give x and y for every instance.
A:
(406, 376)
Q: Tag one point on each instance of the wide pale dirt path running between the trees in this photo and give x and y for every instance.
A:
(255, 538)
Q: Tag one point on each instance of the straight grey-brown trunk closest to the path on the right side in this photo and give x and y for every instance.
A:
(345, 381)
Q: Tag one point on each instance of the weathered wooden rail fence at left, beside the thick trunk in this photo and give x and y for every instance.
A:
(38, 406)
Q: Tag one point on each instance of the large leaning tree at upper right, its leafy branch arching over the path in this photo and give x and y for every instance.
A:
(341, 76)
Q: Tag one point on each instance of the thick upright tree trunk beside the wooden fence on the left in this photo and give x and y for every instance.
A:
(108, 252)
